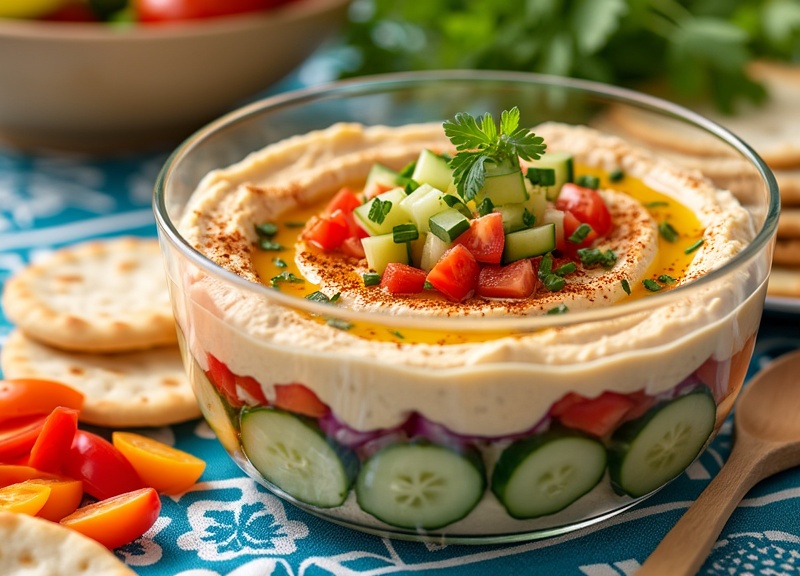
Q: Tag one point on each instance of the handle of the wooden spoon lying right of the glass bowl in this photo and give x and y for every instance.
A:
(685, 548)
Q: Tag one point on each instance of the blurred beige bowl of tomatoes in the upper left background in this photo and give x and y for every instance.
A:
(110, 75)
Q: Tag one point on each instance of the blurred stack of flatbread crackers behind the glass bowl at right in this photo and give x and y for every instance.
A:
(772, 130)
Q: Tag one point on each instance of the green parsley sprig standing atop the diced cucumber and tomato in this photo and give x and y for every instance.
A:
(478, 145)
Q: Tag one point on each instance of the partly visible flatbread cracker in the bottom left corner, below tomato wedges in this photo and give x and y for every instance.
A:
(33, 546)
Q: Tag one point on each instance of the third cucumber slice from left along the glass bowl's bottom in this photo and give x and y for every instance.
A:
(544, 474)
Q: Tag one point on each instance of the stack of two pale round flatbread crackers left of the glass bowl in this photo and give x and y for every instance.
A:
(97, 316)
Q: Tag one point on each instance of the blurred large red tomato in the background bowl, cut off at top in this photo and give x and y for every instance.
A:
(172, 10)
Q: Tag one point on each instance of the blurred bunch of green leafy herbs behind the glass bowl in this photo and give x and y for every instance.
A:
(692, 49)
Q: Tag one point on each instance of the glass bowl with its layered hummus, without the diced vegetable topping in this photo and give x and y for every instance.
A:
(453, 422)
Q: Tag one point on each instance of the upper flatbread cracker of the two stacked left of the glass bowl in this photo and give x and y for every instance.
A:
(104, 296)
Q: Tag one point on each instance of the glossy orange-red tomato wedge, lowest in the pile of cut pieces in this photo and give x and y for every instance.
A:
(119, 520)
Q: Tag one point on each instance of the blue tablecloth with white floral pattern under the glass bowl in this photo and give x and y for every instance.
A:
(228, 525)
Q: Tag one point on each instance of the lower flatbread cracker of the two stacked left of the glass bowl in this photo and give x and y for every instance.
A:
(143, 388)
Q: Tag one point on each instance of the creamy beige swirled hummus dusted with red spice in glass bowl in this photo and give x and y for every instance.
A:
(498, 385)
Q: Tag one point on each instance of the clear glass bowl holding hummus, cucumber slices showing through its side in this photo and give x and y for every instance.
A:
(463, 429)
